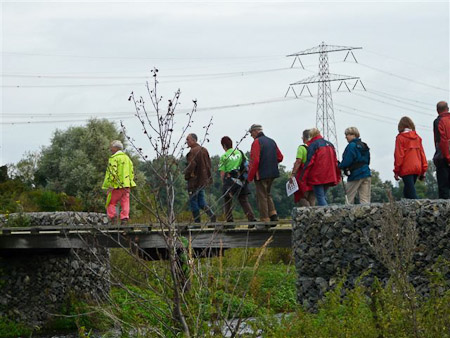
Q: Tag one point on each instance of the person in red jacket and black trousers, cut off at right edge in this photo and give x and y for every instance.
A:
(441, 158)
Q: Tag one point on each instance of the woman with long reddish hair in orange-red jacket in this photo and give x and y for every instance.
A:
(410, 161)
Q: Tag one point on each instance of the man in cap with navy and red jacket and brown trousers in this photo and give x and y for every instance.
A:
(263, 168)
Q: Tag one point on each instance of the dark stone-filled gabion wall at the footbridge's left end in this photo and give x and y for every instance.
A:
(37, 285)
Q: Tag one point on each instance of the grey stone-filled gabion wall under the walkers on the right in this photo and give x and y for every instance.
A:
(331, 241)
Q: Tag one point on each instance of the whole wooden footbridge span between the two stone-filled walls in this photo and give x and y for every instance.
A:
(240, 234)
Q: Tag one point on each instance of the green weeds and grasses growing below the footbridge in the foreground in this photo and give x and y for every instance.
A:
(363, 312)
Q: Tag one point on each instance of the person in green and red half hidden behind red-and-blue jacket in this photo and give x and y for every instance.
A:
(304, 195)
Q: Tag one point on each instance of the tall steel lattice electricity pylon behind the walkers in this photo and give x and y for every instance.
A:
(325, 120)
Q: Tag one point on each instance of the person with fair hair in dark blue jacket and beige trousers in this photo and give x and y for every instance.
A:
(355, 164)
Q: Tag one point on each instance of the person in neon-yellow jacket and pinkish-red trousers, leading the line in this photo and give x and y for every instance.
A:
(119, 178)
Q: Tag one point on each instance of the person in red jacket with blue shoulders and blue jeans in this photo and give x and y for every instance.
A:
(321, 168)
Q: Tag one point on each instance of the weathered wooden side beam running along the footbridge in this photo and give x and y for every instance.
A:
(114, 238)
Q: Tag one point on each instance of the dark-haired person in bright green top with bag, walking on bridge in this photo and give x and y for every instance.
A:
(233, 167)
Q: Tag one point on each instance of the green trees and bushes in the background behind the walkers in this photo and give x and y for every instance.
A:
(68, 174)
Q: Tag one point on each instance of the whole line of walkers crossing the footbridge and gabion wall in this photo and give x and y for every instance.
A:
(315, 170)
